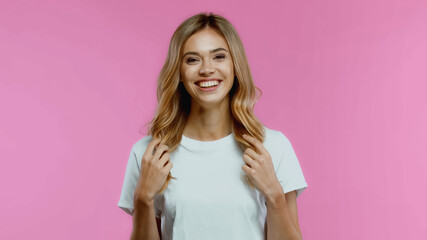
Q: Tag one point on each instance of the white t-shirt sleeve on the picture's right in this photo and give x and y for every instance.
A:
(289, 172)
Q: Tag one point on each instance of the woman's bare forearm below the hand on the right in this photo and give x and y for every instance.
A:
(282, 217)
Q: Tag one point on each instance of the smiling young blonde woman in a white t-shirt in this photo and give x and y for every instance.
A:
(209, 169)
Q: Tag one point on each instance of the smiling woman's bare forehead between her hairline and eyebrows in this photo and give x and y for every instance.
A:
(204, 41)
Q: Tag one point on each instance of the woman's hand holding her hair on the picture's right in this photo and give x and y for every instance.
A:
(260, 167)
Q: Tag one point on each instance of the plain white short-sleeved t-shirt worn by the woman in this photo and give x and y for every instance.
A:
(209, 199)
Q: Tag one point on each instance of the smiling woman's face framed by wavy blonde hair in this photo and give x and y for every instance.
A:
(206, 57)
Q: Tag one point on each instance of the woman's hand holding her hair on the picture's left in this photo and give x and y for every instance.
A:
(154, 170)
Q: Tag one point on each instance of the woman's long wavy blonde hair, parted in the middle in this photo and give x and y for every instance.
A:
(174, 102)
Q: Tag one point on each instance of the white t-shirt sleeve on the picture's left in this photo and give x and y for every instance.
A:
(130, 182)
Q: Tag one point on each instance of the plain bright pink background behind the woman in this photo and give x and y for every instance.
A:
(344, 80)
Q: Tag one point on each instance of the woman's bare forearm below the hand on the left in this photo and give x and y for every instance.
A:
(144, 222)
